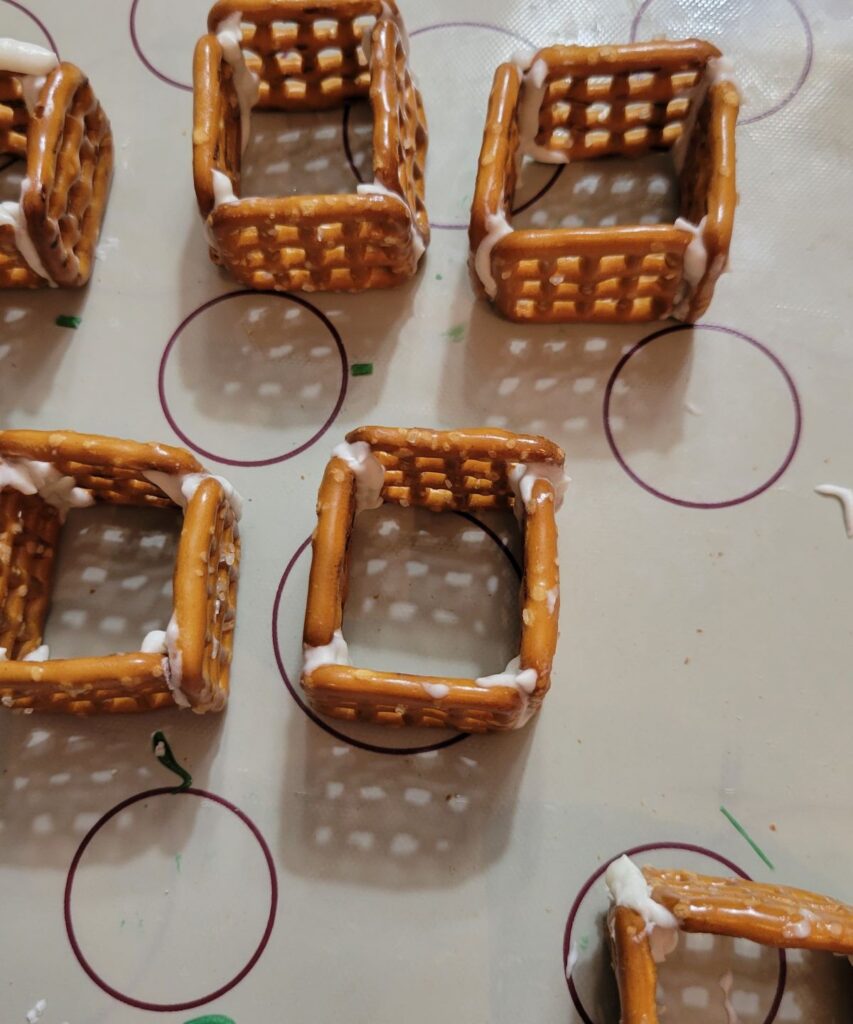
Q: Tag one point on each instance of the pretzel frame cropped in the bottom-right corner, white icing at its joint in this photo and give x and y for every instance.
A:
(772, 916)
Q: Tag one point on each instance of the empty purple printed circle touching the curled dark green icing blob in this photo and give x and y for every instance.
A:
(88, 839)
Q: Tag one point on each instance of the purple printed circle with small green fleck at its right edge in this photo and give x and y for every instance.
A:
(250, 463)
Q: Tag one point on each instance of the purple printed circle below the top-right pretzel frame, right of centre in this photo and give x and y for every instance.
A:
(686, 503)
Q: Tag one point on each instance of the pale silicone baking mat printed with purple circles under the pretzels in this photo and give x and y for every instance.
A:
(321, 872)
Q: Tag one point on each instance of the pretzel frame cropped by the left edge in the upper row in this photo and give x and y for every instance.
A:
(68, 145)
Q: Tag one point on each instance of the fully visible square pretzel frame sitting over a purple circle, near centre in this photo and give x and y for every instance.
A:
(460, 471)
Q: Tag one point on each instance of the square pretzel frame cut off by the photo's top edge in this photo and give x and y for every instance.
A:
(311, 57)
